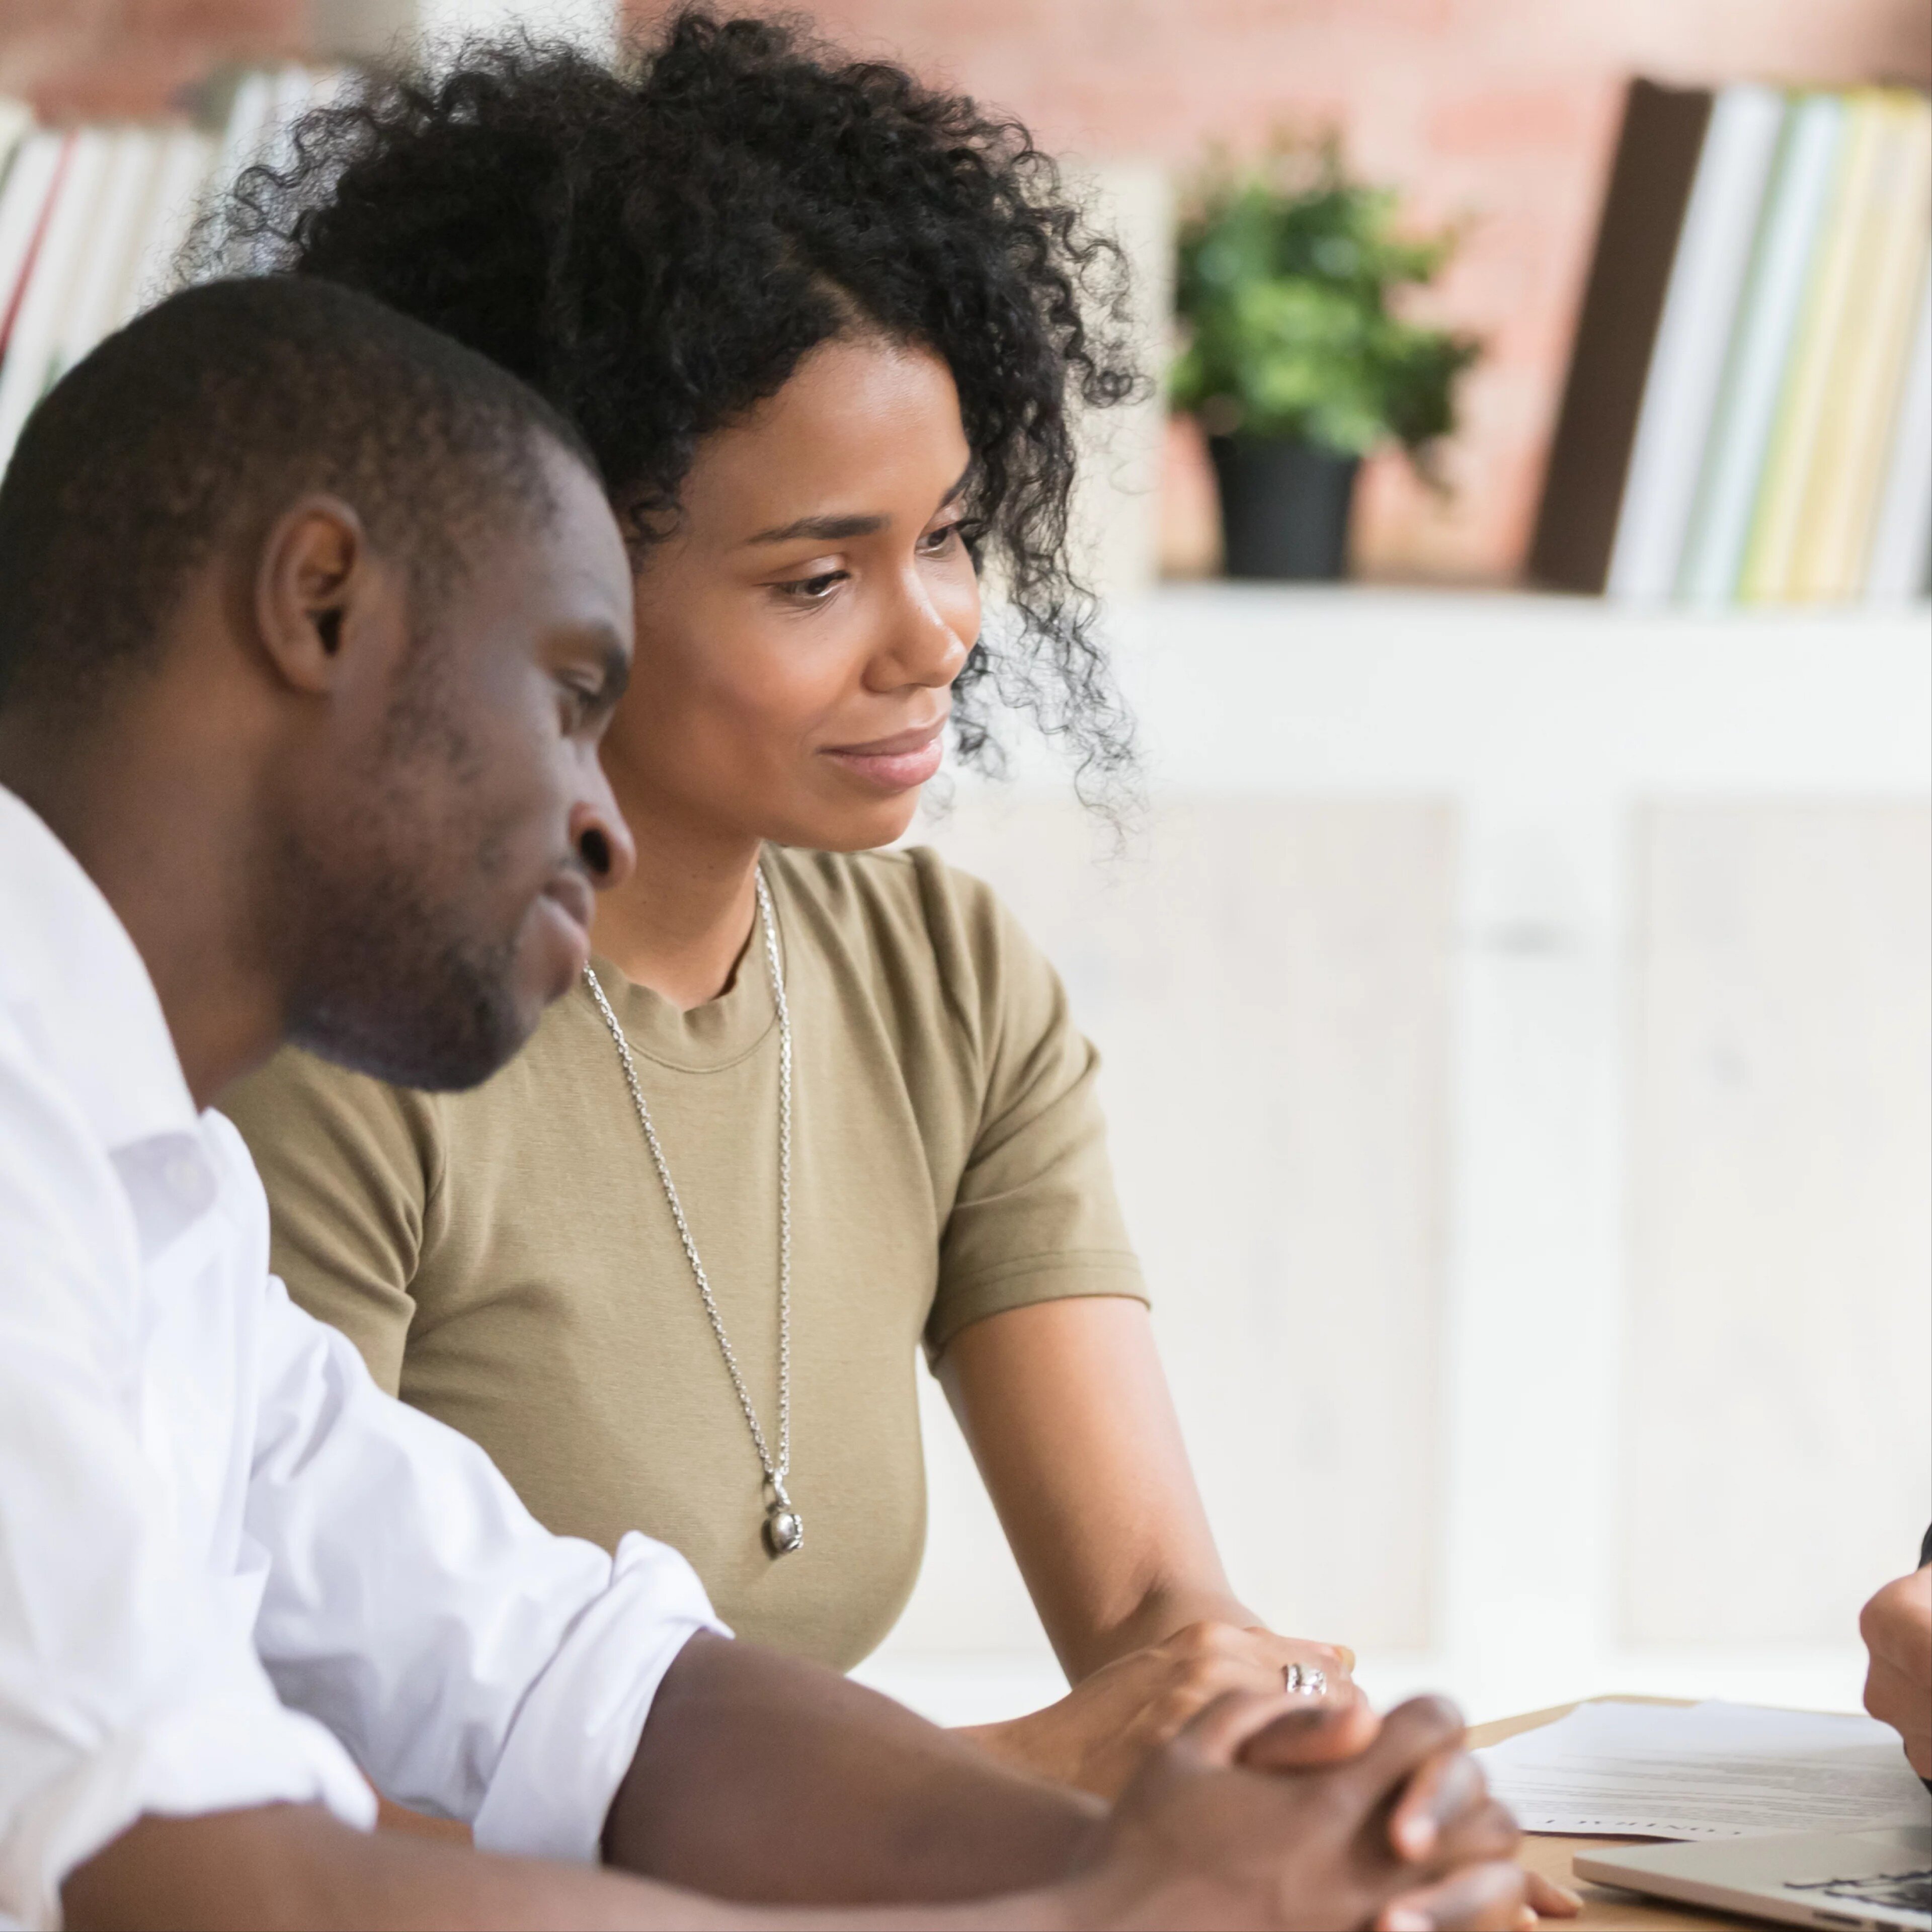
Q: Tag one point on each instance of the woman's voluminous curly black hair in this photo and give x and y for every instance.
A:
(656, 244)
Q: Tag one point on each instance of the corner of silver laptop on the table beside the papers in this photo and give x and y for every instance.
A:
(1815, 1879)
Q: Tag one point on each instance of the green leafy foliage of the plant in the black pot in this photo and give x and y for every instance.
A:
(1286, 289)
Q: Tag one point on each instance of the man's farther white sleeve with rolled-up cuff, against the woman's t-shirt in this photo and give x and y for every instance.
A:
(476, 1664)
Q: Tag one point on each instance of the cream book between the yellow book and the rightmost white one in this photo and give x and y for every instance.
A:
(1869, 362)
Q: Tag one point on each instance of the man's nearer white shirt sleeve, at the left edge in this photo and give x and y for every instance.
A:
(128, 1682)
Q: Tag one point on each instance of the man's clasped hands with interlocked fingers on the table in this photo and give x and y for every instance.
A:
(1205, 1840)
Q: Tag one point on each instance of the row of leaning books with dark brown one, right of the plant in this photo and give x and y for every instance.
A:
(1749, 405)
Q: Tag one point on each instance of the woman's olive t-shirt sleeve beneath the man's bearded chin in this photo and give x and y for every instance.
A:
(349, 1166)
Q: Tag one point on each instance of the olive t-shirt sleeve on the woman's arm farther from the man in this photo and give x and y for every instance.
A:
(1037, 1216)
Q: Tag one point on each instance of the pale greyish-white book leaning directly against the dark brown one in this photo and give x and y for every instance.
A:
(1693, 339)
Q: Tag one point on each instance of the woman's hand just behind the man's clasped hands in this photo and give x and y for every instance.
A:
(1098, 1736)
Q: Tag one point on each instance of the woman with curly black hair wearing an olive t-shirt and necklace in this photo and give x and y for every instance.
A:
(816, 1104)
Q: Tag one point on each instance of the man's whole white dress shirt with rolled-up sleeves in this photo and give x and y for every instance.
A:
(231, 1568)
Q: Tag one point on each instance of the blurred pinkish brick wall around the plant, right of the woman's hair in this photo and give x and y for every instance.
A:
(1498, 111)
